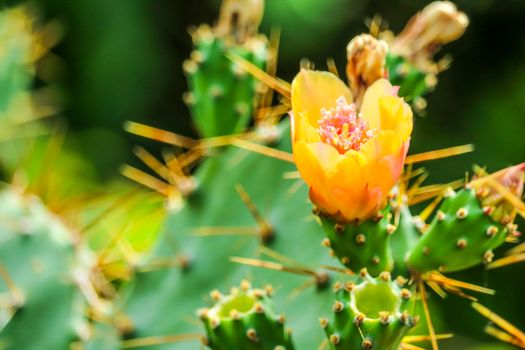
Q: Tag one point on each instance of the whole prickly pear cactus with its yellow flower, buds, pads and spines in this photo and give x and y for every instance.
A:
(238, 216)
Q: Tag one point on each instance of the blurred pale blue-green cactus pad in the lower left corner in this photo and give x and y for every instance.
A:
(45, 309)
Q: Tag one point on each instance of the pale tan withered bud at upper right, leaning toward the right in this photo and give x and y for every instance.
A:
(438, 23)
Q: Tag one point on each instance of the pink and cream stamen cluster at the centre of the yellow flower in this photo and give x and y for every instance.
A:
(342, 128)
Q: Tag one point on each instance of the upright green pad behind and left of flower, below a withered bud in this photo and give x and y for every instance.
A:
(222, 95)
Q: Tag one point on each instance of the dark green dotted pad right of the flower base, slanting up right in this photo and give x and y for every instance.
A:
(460, 236)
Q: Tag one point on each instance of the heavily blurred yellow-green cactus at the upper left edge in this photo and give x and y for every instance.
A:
(22, 44)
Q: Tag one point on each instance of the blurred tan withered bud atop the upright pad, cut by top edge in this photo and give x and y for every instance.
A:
(240, 18)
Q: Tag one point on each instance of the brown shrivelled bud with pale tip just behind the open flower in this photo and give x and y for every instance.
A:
(366, 58)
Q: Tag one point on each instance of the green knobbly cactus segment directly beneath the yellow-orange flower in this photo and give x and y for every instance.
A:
(363, 245)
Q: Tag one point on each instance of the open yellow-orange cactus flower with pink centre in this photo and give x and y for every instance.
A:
(350, 159)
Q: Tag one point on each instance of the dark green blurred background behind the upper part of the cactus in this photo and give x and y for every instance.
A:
(121, 60)
